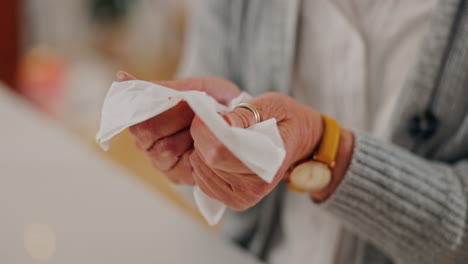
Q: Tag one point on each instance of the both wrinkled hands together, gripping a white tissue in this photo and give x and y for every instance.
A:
(180, 145)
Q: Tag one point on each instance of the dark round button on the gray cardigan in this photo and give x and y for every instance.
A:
(423, 125)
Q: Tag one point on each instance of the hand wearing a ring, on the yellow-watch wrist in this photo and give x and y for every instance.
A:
(222, 176)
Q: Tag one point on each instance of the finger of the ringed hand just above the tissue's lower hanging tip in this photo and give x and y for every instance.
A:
(208, 181)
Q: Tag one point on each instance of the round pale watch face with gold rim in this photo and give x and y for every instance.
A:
(310, 176)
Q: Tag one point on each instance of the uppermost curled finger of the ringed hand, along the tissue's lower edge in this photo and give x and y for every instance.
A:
(213, 152)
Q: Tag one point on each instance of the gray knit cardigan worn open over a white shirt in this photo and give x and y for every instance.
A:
(402, 202)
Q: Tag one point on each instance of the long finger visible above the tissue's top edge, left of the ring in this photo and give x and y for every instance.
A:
(220, 89)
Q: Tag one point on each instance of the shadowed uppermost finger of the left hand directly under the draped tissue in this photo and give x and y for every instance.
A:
(166, 124)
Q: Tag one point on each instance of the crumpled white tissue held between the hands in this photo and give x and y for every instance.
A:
(259, 147)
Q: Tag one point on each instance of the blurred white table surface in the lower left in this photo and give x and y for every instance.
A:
(63, 202)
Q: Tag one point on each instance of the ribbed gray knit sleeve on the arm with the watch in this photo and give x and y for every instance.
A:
(414, 209)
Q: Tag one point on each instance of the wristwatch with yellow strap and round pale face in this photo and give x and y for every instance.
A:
(316, 174)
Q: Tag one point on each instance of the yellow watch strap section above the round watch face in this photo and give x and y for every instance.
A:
(328, 148)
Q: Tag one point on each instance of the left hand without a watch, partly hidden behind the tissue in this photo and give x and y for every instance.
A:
(166, 139)
